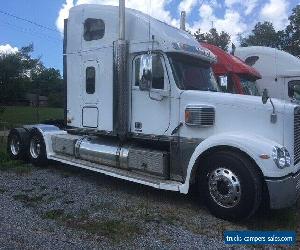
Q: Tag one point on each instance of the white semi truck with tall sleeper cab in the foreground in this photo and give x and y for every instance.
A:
(143, 106)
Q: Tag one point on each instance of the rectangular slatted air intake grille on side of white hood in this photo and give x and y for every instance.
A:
(201, 116)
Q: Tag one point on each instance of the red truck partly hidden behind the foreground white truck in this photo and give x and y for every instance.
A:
(239, 77)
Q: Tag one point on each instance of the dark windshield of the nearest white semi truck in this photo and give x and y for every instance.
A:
(191, 73)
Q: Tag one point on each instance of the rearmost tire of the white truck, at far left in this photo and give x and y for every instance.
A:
(17, 144)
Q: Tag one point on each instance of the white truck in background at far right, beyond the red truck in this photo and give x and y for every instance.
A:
(280, 70)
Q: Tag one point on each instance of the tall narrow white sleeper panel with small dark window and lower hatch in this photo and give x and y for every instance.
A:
(90, 97)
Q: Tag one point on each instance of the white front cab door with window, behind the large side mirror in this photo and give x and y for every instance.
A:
(150, 110)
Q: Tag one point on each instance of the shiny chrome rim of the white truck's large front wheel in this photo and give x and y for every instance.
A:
(224, 187)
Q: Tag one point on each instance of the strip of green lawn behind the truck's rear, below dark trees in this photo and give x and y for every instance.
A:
(16, 115)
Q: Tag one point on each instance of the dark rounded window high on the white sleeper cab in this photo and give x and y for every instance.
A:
(94, 29)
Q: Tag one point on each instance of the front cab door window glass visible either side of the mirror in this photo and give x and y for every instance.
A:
(157, 72)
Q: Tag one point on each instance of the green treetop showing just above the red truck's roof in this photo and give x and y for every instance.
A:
(221, 40)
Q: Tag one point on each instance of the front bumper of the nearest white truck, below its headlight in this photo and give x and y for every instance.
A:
(284, 192)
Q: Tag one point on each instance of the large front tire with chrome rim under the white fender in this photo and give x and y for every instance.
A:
(231, 184)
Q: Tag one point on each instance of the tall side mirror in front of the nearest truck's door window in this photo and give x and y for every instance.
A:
(145, 74)
